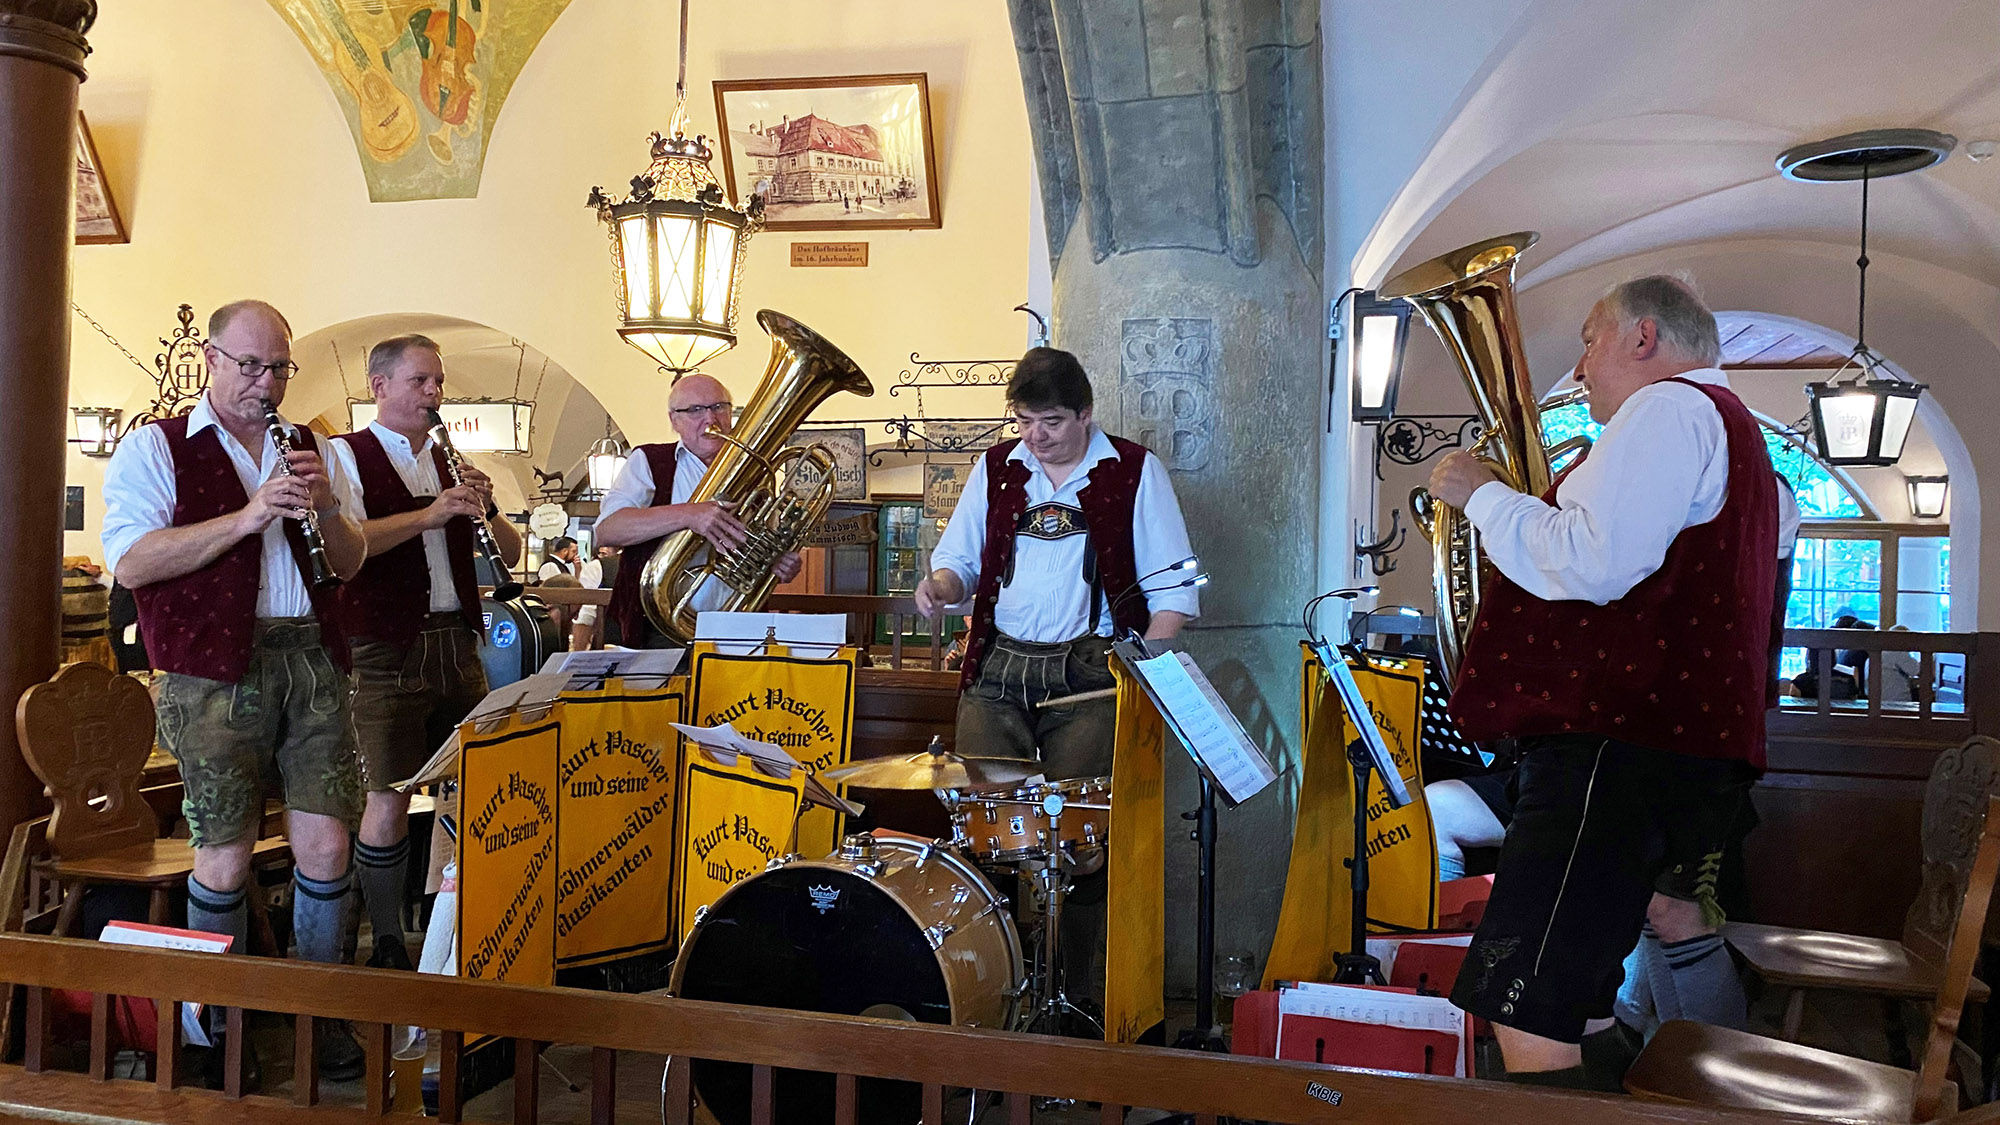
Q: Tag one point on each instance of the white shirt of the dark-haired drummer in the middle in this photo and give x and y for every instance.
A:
(1049, 602)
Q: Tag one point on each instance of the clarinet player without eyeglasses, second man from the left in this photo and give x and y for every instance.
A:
(413, 612)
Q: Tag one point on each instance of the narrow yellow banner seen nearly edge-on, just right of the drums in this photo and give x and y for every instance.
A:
(1135, 926)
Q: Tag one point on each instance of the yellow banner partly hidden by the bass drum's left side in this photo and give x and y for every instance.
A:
(737, 822)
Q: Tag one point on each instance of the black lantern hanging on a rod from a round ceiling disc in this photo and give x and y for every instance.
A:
(1863, 419)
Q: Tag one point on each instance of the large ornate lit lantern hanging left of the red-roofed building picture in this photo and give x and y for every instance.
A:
(679, 245)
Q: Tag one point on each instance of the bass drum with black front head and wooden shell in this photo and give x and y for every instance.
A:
(887, 928)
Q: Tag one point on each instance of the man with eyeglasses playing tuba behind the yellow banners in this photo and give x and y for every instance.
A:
(701, 409)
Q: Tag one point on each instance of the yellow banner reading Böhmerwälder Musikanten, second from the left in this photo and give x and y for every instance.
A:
(615, 850)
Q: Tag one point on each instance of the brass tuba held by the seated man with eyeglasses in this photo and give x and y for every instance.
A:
(781, 493)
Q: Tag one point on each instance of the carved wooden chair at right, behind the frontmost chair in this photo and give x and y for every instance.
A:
(1909, 970)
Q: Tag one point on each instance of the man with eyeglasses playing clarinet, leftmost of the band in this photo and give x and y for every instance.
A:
(203, 525)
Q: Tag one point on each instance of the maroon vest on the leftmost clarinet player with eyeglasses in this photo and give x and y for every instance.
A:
(203, 624)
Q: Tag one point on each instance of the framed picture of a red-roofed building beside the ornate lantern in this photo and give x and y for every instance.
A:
(833, 153)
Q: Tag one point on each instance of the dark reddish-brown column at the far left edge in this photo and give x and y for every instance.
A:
(41, 67)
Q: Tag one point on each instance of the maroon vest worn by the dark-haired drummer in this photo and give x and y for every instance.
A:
(1107, 501)
